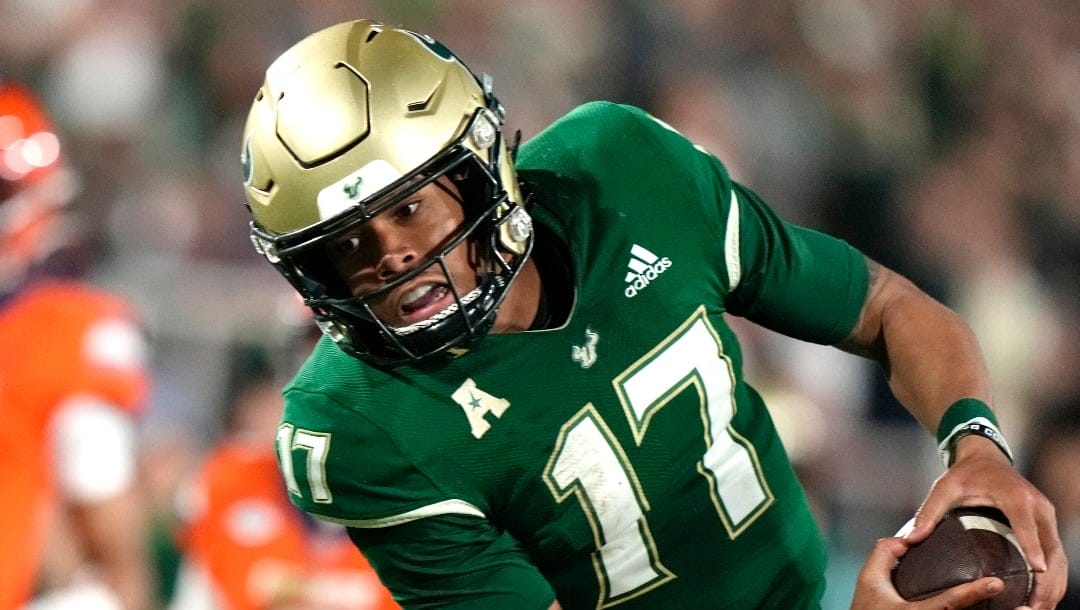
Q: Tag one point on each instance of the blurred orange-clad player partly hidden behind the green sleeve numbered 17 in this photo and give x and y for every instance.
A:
(246, 547)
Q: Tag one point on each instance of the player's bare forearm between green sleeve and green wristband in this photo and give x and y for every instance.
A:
(930, 356)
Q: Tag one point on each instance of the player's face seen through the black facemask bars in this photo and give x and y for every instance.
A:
(399, 240)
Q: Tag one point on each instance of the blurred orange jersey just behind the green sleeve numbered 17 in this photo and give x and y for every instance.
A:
(261, 552)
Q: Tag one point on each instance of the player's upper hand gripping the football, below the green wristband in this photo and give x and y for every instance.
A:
(982, 477)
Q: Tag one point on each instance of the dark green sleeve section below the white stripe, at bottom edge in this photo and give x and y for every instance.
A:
(454, 562)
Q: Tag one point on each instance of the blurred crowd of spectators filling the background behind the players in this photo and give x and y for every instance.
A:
(942, 138)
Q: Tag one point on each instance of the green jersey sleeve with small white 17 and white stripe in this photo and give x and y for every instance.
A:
(431, 548)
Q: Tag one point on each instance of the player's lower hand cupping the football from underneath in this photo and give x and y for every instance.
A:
(874, 590)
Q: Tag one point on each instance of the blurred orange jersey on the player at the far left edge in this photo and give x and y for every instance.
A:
(58, 341)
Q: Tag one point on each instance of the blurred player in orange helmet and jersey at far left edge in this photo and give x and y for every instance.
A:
(73, 378)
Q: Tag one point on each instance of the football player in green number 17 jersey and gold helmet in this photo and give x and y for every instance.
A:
(528, 396)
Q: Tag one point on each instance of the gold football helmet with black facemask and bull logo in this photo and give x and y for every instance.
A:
(349, 123)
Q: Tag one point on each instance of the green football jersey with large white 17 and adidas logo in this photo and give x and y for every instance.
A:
(620, 459)
